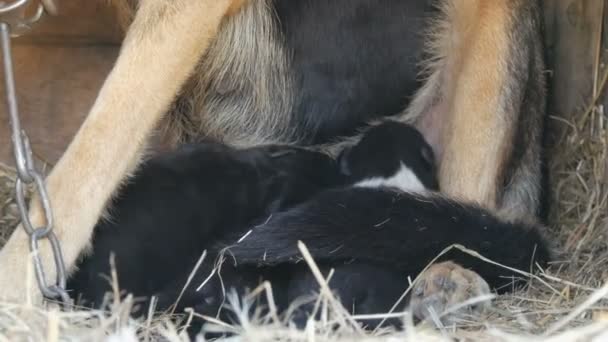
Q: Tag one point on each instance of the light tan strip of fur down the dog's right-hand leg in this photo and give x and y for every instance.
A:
(477, 127)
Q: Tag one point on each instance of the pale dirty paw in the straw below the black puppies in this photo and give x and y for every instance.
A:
(440, 292)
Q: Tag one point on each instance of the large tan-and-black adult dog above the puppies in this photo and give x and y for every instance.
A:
(248, 72)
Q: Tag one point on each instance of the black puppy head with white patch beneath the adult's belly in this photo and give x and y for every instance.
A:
(391, 154)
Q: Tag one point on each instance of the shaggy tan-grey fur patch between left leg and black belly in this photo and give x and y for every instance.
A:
(251, 108)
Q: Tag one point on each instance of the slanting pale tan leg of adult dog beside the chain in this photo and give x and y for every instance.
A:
(161, 49)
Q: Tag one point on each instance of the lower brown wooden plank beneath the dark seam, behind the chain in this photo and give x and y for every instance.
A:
(56, 85)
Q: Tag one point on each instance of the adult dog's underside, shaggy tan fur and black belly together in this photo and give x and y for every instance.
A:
(306, 71)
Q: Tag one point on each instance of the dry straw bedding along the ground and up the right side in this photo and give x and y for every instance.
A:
(566, 302)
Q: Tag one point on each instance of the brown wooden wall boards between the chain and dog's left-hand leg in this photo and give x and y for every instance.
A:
(59, 68)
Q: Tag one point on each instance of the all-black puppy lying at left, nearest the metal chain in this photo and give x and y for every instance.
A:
(176, 204)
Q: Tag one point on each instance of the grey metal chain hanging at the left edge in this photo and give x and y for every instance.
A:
(26, 171)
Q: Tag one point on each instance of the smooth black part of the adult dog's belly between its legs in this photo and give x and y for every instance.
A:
(352, 60)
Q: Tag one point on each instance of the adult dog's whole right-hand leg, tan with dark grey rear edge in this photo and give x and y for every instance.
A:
(483, 102)
